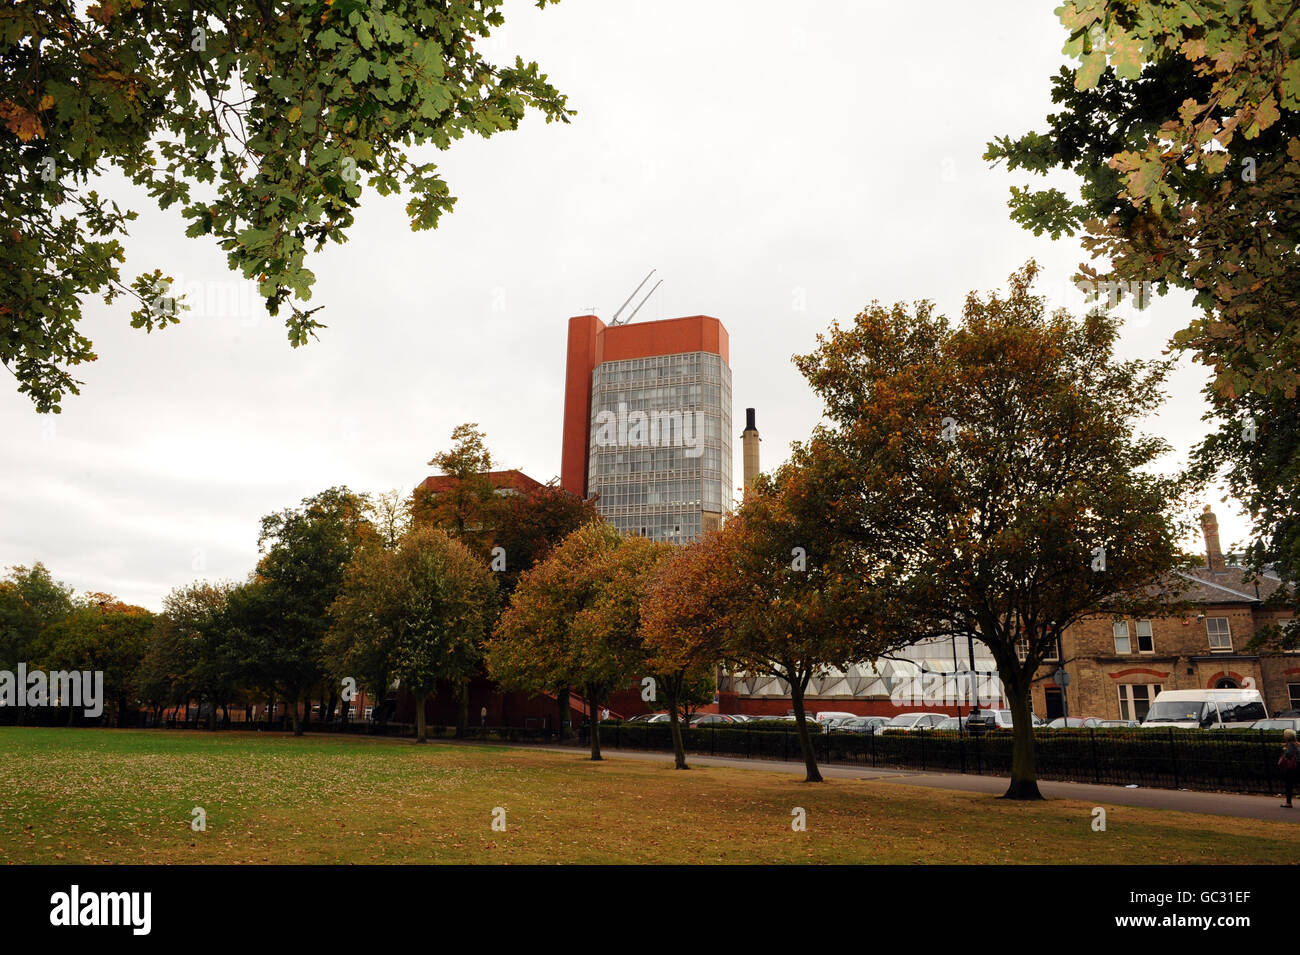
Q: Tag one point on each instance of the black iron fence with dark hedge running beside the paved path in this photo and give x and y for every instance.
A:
(1217, 761)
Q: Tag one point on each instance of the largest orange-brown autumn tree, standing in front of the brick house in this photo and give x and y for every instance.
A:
(995, 472)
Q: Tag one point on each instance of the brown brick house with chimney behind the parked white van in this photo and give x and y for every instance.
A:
(1117, 666)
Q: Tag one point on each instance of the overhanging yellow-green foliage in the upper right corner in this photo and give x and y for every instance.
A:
(1182, 123)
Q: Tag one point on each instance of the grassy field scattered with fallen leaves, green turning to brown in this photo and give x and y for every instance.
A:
(127, 797)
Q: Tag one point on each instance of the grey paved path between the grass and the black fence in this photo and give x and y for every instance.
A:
(1184, 801)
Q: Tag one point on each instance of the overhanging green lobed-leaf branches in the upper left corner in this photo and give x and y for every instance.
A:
(263, 121)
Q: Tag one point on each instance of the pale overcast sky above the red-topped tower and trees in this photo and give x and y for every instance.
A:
(779, 164)
